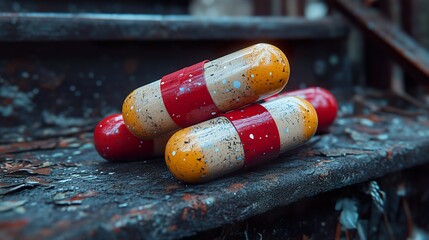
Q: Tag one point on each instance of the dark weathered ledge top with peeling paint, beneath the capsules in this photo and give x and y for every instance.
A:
(60, 187)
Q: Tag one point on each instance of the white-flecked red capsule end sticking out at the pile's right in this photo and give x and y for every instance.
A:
(322, 100)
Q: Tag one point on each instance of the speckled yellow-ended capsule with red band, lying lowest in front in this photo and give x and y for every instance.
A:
(243, 137)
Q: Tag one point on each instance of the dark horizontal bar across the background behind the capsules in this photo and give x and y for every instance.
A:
(105, 26)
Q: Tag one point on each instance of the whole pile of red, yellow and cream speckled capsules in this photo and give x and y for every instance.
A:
(206, 120)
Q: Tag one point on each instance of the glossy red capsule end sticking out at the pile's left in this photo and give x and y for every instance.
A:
(115, 143)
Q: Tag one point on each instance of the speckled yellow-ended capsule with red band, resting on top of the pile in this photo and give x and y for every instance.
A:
(205, 90)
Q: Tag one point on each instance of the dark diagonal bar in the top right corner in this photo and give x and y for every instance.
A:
(404, 49)
